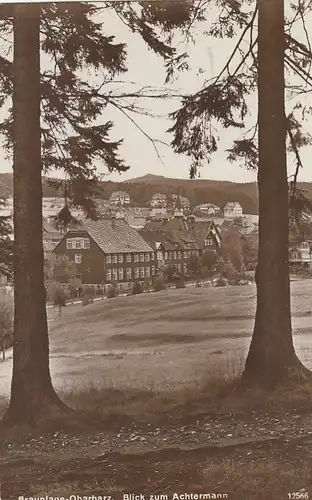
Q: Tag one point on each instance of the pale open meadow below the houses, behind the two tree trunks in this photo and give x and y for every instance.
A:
(160, 339)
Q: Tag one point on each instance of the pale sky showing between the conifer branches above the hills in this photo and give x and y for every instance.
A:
(146, 69)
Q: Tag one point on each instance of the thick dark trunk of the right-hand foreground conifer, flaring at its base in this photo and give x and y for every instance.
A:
(272, 359)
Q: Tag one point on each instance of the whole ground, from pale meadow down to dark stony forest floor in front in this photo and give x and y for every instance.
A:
(140, 355)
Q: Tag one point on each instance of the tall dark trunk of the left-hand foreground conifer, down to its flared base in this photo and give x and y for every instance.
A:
(32, 393)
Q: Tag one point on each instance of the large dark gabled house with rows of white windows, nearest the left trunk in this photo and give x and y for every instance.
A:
(108, 251)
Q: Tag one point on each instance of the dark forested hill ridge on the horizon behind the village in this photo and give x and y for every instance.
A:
(197, 191)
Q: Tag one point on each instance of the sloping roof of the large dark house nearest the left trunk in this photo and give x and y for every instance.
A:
(119, 239)
